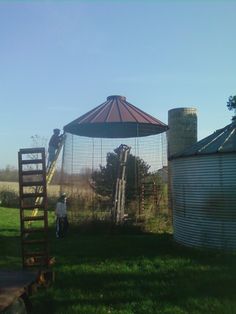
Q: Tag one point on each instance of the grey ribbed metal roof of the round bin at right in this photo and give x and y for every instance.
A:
(221, 141)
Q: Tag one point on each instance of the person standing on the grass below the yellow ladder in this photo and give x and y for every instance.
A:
(61, 216)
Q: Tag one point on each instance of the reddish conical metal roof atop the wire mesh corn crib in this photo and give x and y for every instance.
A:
(116, 118)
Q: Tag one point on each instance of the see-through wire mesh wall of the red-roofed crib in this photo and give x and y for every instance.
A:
(89, 175)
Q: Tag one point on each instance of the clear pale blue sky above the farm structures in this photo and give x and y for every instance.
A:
(60, 59)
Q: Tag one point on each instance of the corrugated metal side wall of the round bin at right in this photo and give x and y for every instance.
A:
(204, 200)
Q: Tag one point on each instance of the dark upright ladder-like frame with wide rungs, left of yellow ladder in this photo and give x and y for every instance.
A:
(33, 197)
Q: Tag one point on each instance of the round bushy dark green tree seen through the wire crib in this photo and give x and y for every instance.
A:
(104, 179)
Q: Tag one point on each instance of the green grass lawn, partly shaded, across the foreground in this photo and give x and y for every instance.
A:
(126, 274)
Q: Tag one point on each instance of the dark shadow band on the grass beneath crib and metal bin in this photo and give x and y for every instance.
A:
(129, 242)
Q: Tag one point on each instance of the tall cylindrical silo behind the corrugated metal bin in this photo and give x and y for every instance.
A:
(182, 131)
